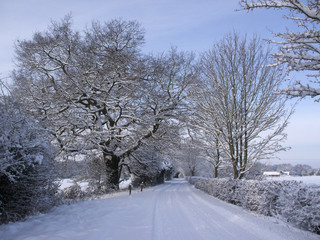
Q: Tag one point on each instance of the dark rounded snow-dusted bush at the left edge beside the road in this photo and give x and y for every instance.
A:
(26, 166)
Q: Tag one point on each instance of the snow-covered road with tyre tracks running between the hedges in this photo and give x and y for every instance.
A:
(171, 211)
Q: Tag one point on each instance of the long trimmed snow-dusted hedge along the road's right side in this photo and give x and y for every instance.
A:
(291, 201)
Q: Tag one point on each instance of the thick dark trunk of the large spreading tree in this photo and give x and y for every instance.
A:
(112, 170)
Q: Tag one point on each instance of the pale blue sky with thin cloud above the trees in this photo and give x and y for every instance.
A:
(188, 24)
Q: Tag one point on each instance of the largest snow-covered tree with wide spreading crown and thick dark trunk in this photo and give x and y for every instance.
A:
(96, 91)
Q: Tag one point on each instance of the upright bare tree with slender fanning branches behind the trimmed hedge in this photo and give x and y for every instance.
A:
(236, 103)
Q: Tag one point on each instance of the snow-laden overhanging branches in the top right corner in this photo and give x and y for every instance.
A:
(300, 49)
